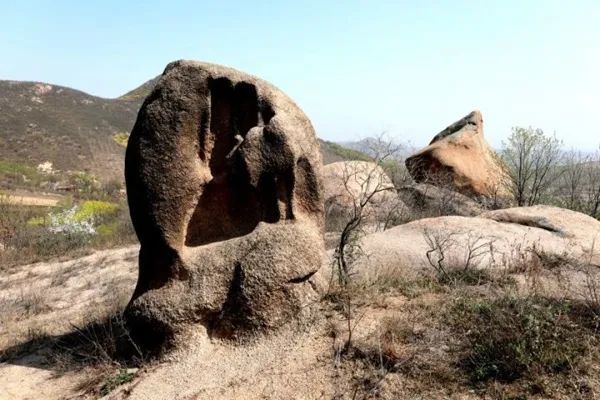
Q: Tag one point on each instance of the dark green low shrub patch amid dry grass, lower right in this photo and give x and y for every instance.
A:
(511, 338)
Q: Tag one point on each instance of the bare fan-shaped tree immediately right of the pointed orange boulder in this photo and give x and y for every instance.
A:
(531, 160)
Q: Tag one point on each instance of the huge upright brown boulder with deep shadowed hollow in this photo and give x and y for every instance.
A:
(223, 176)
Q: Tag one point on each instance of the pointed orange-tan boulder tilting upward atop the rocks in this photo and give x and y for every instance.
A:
(459, 157)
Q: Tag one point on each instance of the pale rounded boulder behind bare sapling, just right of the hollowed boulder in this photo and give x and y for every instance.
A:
(348, 183)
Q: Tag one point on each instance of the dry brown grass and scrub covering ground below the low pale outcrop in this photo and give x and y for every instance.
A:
(474, 333)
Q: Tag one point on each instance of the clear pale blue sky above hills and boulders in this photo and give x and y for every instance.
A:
(356, 67)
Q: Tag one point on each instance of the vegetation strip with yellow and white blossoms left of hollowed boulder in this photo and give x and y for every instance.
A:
(72, 229)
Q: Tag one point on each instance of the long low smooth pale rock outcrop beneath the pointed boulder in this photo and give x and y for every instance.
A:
(504, 239)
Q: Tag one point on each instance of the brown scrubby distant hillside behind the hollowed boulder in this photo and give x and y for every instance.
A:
(74, 130)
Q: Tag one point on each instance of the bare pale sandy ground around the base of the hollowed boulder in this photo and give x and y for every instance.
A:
(297, 362)
